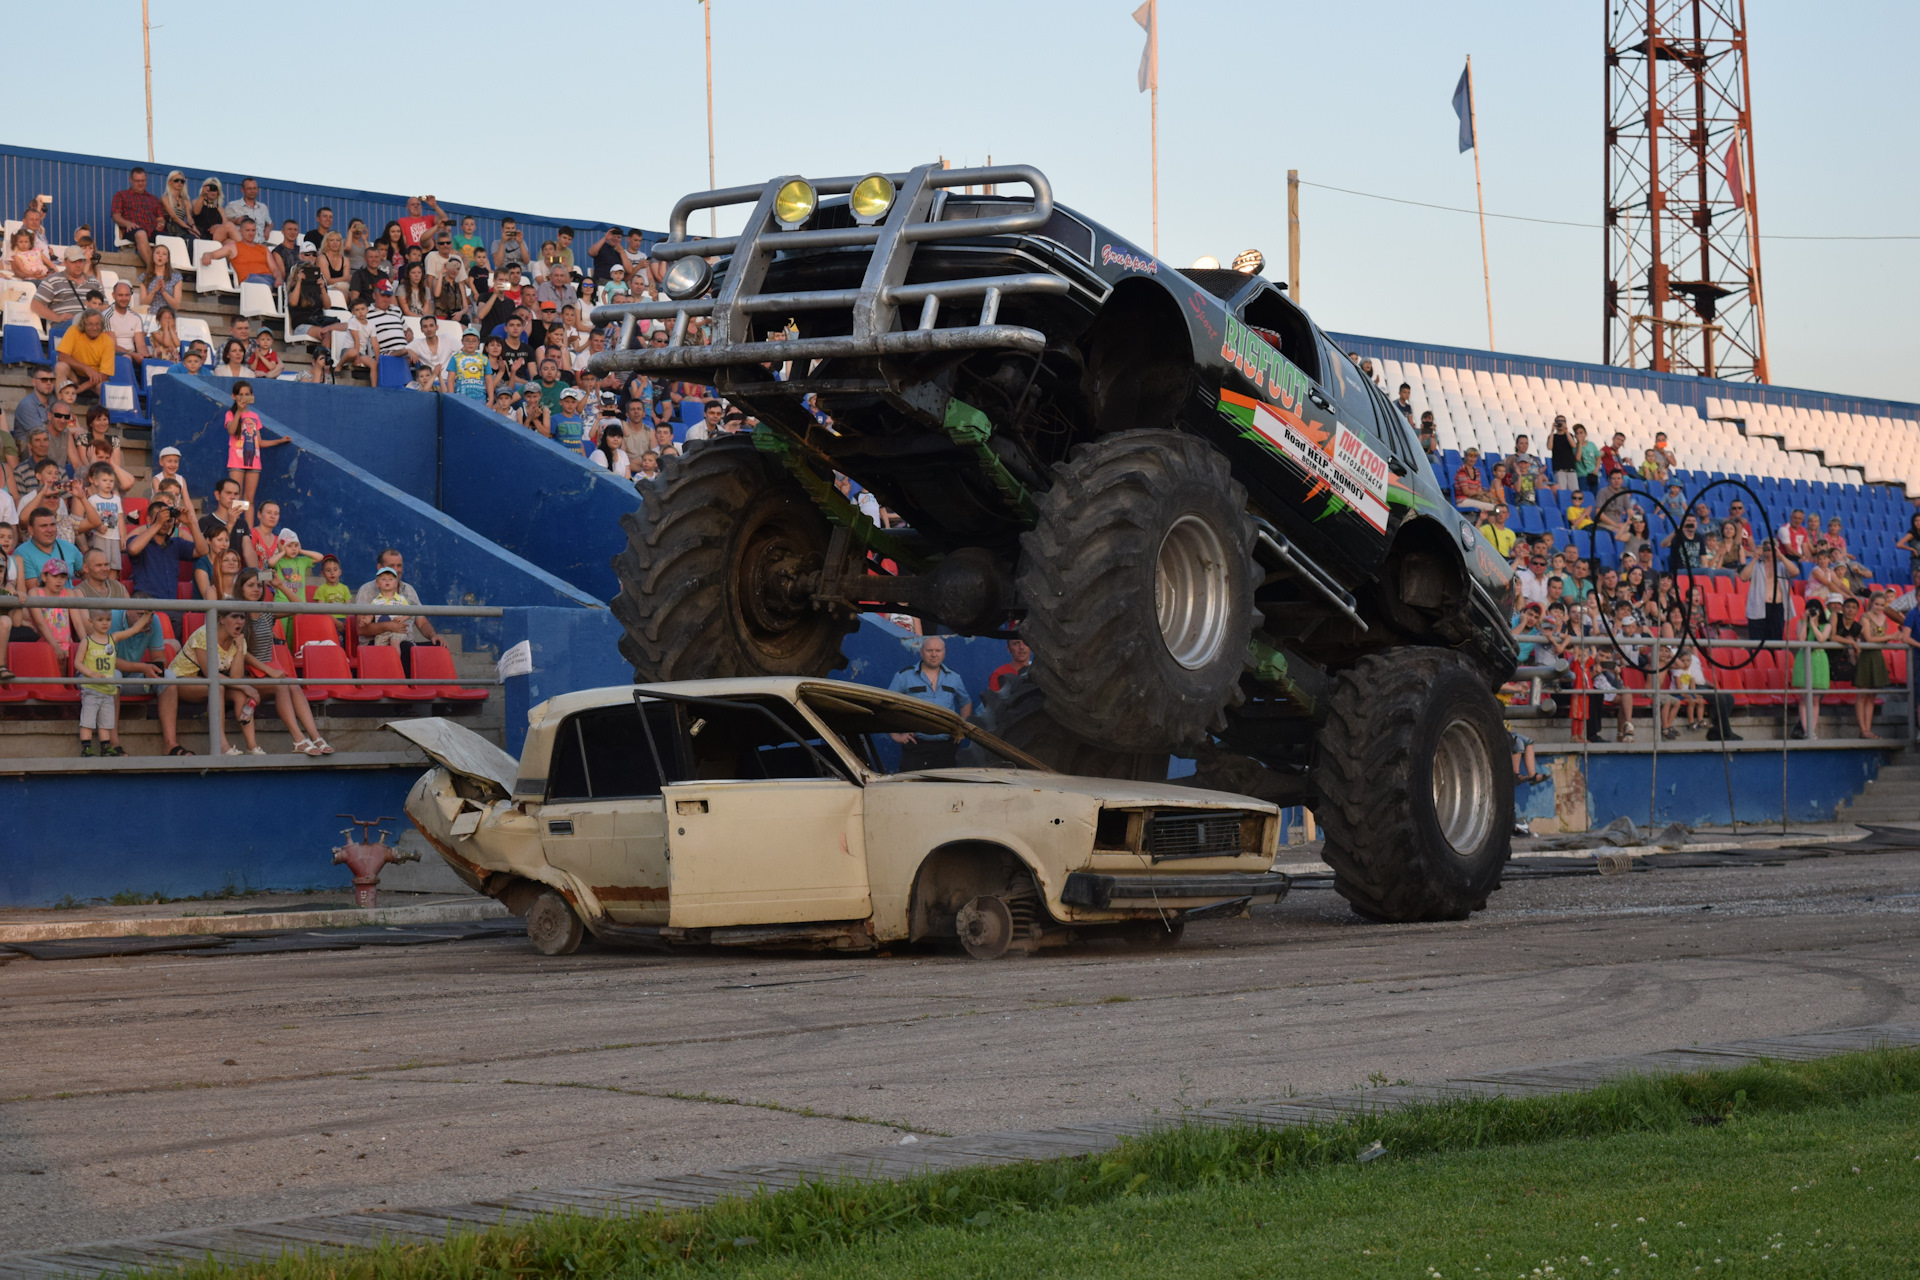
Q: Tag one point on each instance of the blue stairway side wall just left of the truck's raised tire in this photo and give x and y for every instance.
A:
(531, 496)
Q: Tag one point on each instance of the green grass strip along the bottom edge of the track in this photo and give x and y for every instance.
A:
(1813, 1168)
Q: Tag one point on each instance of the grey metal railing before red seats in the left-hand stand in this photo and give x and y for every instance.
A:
(214, 680)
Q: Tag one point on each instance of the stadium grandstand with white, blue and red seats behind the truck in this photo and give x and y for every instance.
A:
(494, 502)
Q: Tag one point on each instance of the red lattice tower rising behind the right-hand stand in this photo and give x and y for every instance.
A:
(1681, 222)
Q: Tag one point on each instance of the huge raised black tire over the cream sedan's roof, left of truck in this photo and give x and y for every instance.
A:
(713, 581)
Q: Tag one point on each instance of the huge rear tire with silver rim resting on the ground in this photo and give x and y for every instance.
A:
(1416, 782)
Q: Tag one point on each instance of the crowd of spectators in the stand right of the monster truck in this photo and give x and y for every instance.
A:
(1652, 611)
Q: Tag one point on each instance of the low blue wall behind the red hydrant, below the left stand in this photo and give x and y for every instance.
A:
(180, 853)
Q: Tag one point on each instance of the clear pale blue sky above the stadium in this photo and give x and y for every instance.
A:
(596, 108)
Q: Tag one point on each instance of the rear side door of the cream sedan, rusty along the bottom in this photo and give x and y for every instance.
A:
(606, 817)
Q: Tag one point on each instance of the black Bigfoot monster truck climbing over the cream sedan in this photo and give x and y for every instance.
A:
(1216, 534)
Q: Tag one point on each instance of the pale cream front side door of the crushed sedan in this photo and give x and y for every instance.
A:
(765, 826)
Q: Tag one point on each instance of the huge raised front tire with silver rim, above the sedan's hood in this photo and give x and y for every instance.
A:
(1140, 590)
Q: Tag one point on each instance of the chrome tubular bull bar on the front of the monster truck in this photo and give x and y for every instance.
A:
(875, 304)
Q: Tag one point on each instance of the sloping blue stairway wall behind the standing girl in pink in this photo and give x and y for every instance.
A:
(352, 513)
